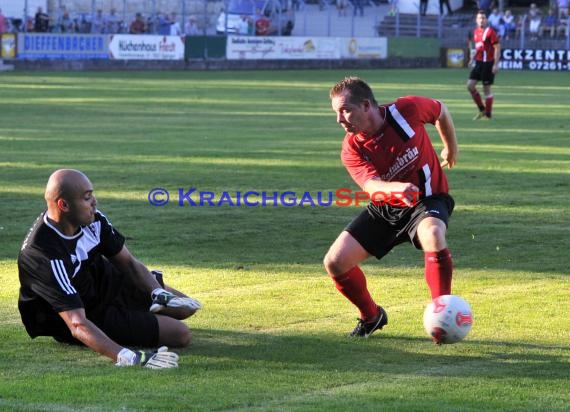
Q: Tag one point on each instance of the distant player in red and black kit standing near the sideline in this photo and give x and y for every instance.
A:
(487, 52)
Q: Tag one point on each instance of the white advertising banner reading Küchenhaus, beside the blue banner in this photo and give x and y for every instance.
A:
(146, 47)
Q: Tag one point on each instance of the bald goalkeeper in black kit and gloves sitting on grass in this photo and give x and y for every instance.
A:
(80, 284)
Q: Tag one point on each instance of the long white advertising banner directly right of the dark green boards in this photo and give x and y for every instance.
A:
(282, 48)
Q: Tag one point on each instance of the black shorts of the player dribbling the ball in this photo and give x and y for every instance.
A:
(380, 228)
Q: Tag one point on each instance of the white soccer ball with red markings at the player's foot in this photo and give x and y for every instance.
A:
(448, 319)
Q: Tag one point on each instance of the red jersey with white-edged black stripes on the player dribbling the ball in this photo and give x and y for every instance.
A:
(401, 150)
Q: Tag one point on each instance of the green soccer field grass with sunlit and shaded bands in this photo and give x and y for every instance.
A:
(272, 333)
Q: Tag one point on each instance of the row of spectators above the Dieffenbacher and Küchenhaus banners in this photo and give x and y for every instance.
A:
(100, 23)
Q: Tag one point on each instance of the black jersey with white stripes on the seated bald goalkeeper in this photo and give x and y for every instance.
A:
(59, 273)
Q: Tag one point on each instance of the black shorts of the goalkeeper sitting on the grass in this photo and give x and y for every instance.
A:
(126, 319)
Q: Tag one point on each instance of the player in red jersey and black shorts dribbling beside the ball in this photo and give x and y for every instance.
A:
(387, 150)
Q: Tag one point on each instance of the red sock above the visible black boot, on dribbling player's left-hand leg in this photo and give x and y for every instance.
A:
(352, 285)
